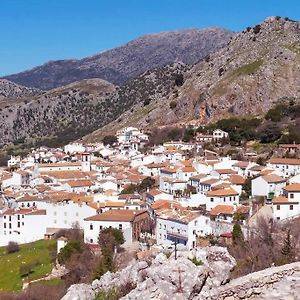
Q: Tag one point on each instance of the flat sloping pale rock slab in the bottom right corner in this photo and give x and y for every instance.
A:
(274, 283)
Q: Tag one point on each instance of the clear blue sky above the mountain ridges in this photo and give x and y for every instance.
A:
(33, 32)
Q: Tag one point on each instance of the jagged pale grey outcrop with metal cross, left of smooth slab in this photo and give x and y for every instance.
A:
(166, 278)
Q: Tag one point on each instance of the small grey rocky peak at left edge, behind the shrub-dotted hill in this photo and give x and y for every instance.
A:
(9, 89)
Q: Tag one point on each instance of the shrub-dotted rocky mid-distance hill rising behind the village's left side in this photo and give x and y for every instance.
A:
(70, 112)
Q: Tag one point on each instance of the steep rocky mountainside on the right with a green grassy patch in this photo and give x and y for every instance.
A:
(259, 67)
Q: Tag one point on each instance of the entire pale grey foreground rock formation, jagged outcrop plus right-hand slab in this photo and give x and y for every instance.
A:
(166, 278)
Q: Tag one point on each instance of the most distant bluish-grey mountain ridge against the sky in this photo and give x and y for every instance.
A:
(121, 64)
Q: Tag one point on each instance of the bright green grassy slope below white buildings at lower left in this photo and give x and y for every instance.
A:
(10, 279)
